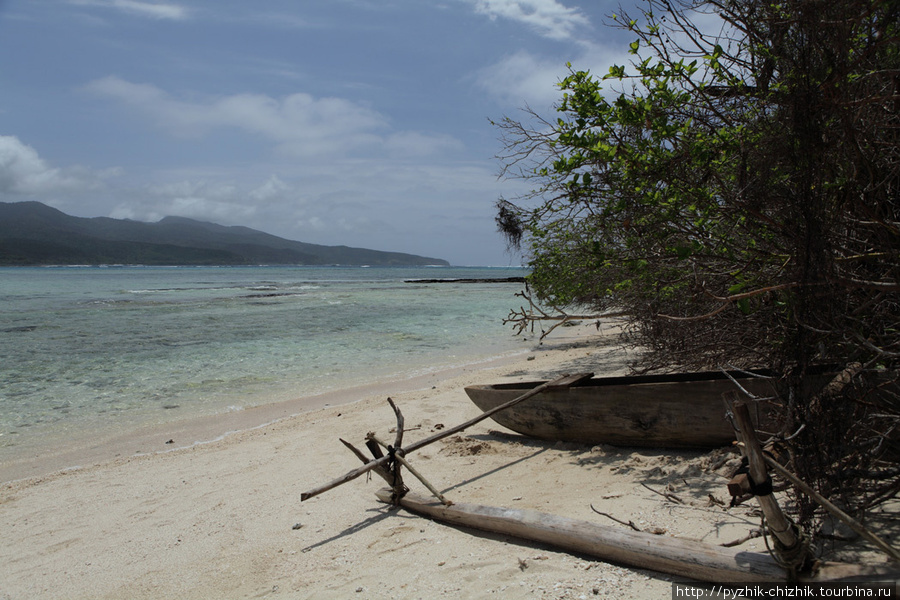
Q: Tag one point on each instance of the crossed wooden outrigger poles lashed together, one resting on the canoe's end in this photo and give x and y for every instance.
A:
(387, 466)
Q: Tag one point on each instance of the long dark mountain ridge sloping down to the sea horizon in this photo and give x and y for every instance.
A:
(32, 233)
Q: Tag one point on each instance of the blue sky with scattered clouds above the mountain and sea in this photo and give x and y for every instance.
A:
(363, 123)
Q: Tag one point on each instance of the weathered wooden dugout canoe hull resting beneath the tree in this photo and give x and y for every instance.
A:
(682, 410)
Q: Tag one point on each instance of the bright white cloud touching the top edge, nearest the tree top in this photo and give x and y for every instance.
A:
(549, 18)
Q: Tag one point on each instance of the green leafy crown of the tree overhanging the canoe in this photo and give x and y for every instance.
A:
(710, 173)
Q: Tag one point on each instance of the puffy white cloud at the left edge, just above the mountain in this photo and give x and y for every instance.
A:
(23, 171)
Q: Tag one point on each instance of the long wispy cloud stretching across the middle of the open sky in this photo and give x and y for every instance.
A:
(299, 125)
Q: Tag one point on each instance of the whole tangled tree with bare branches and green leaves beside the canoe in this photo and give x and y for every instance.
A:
(739, 200)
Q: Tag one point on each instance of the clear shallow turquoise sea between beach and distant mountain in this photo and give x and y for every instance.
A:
(97, 348)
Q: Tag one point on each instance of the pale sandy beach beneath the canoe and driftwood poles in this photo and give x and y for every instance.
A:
(141, 518)
